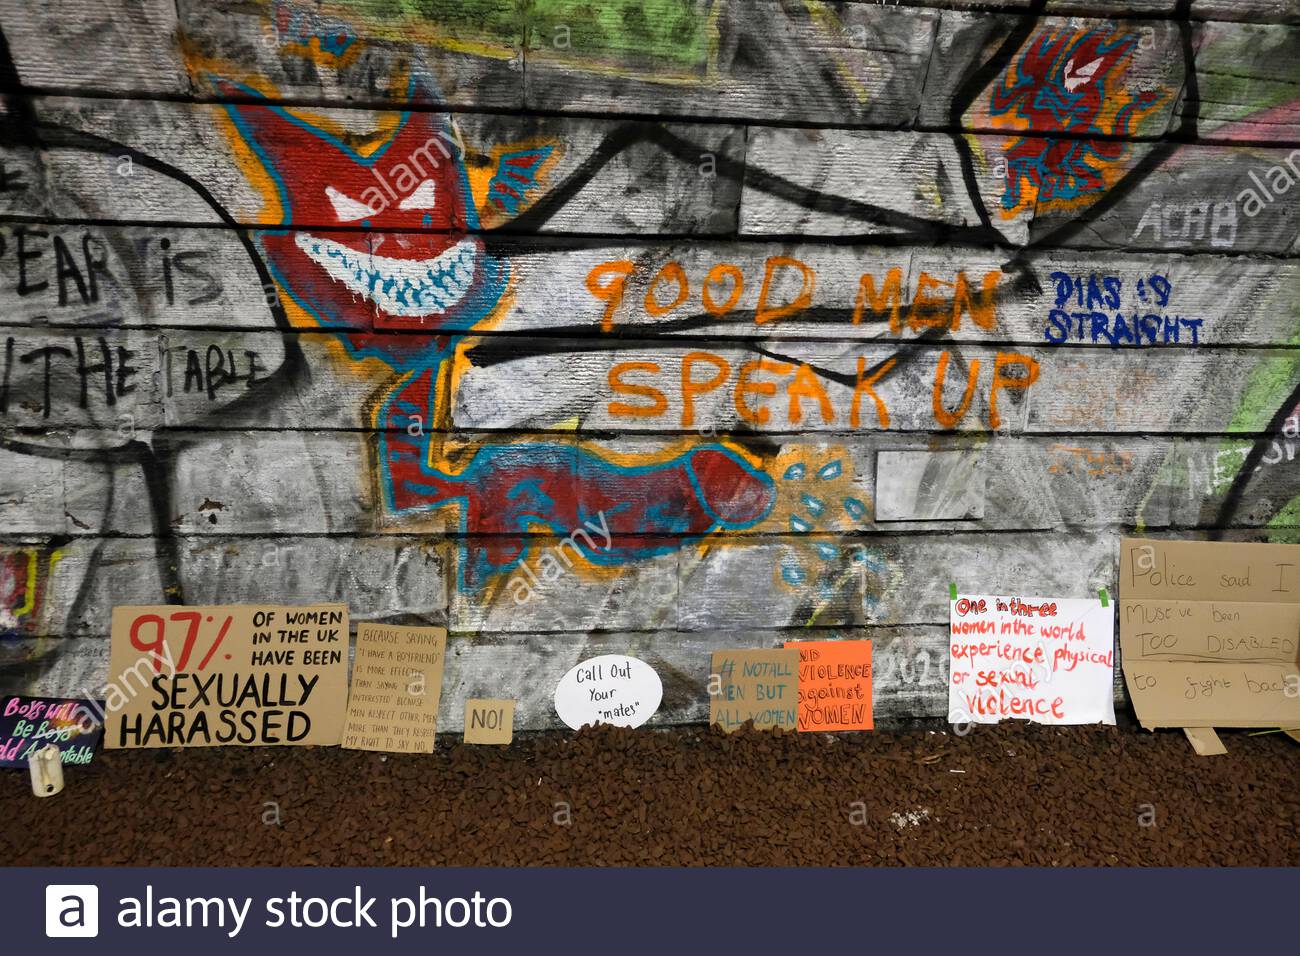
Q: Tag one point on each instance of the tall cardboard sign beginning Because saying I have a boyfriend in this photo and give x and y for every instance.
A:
(397, 685)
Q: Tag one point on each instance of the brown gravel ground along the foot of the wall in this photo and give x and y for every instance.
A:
(1006, 795)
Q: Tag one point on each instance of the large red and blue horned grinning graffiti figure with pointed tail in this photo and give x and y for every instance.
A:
(404, 288)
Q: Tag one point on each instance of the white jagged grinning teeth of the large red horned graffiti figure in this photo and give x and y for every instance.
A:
(398, 287)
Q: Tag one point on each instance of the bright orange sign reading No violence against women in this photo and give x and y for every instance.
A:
(834, 686)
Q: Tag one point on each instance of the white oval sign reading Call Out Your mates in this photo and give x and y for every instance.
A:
(612, 689)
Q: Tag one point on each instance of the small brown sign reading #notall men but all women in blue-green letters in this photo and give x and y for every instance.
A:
(751, 685)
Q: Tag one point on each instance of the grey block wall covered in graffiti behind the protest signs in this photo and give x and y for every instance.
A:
(636, 327)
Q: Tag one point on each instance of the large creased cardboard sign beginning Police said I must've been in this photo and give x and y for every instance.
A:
(1211, 633)
